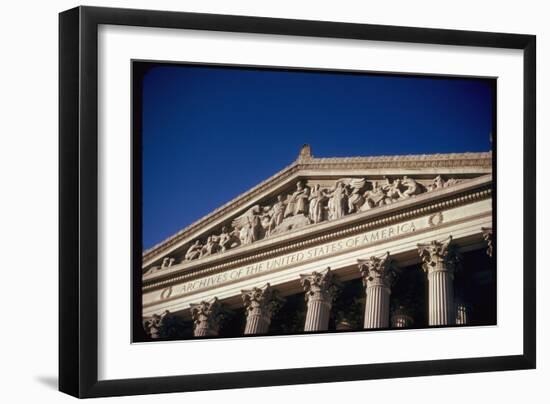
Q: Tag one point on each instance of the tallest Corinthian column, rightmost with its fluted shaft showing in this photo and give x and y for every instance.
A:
(439, 262)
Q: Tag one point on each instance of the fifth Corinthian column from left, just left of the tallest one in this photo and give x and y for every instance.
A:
(378, 275)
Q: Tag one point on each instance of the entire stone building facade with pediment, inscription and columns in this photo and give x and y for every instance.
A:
(333, 244)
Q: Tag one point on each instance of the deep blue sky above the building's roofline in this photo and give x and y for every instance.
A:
(210, 133)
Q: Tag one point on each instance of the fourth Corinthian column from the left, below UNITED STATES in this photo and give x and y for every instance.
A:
(320, 288)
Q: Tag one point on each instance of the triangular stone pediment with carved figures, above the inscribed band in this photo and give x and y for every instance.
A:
(313, 191)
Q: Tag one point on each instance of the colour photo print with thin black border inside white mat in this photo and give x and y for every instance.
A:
(270, 201)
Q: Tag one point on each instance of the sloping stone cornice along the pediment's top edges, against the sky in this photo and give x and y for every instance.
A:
(449, 160)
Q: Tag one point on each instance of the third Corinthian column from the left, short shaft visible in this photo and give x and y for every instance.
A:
(260, 304)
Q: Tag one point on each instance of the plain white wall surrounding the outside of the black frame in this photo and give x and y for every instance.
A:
(28, 206)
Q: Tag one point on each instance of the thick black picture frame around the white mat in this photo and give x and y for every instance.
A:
(78, 206)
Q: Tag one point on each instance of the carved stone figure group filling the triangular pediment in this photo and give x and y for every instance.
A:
(311, 204)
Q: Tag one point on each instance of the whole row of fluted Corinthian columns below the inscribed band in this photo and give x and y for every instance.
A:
(439, 262)
